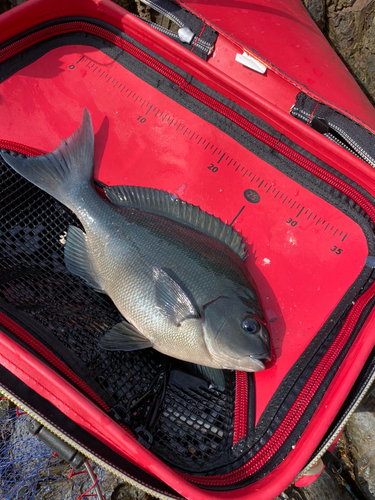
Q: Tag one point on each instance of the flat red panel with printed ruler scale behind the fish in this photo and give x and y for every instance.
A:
(303, 253)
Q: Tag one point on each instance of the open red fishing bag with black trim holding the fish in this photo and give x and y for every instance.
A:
(244, 111)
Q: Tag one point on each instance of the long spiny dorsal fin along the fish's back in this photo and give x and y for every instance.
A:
(163, 203)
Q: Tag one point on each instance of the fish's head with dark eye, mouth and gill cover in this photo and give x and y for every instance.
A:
(235, 334)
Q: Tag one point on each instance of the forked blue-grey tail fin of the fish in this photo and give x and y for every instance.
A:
(68, 167)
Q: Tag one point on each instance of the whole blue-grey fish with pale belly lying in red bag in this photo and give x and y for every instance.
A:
(175, 273)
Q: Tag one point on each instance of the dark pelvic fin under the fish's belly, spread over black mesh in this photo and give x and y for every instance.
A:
(124, 337)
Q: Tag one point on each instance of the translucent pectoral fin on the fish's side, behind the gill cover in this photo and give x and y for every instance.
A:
(173, 298)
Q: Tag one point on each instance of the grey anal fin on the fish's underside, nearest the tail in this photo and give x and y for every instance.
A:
(78, 259)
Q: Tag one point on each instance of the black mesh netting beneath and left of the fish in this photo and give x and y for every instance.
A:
(192, 427)
